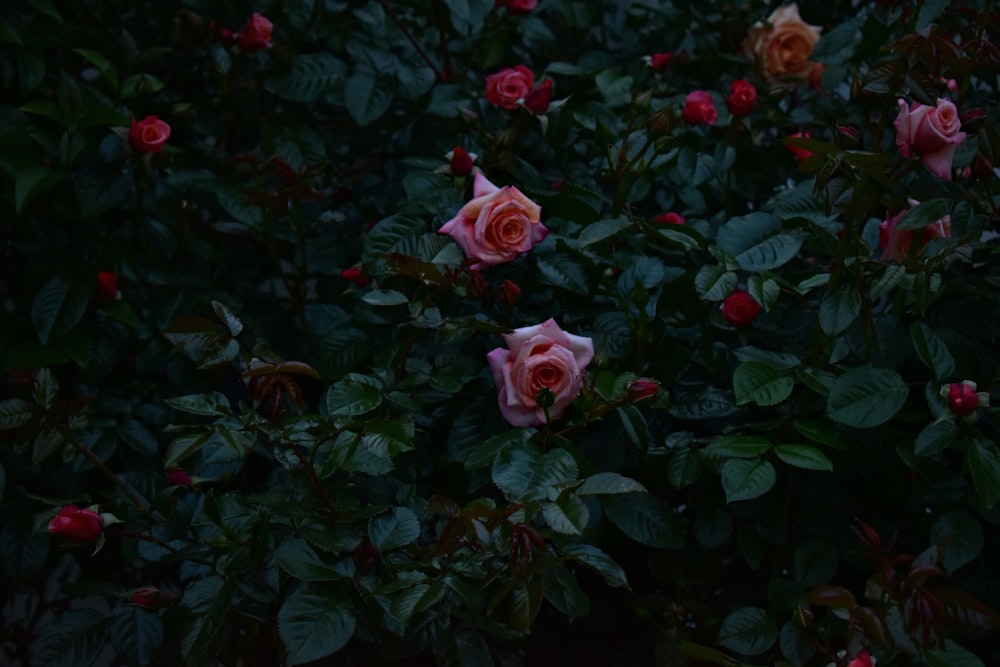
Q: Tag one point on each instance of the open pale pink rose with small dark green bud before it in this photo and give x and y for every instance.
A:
(539, 357)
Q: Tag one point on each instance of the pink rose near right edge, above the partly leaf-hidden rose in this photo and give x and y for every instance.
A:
(930, 132)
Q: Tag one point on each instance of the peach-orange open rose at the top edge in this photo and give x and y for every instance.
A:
(783, 46)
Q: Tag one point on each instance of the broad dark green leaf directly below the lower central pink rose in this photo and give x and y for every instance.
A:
(524, 473)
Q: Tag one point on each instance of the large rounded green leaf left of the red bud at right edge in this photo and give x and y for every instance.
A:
(865, 396)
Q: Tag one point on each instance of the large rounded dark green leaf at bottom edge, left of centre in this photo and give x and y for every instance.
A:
(314, 623)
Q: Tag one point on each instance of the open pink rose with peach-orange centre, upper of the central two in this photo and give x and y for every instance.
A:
(497, 225)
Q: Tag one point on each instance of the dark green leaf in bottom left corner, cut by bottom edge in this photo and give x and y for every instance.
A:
(74, 639)
